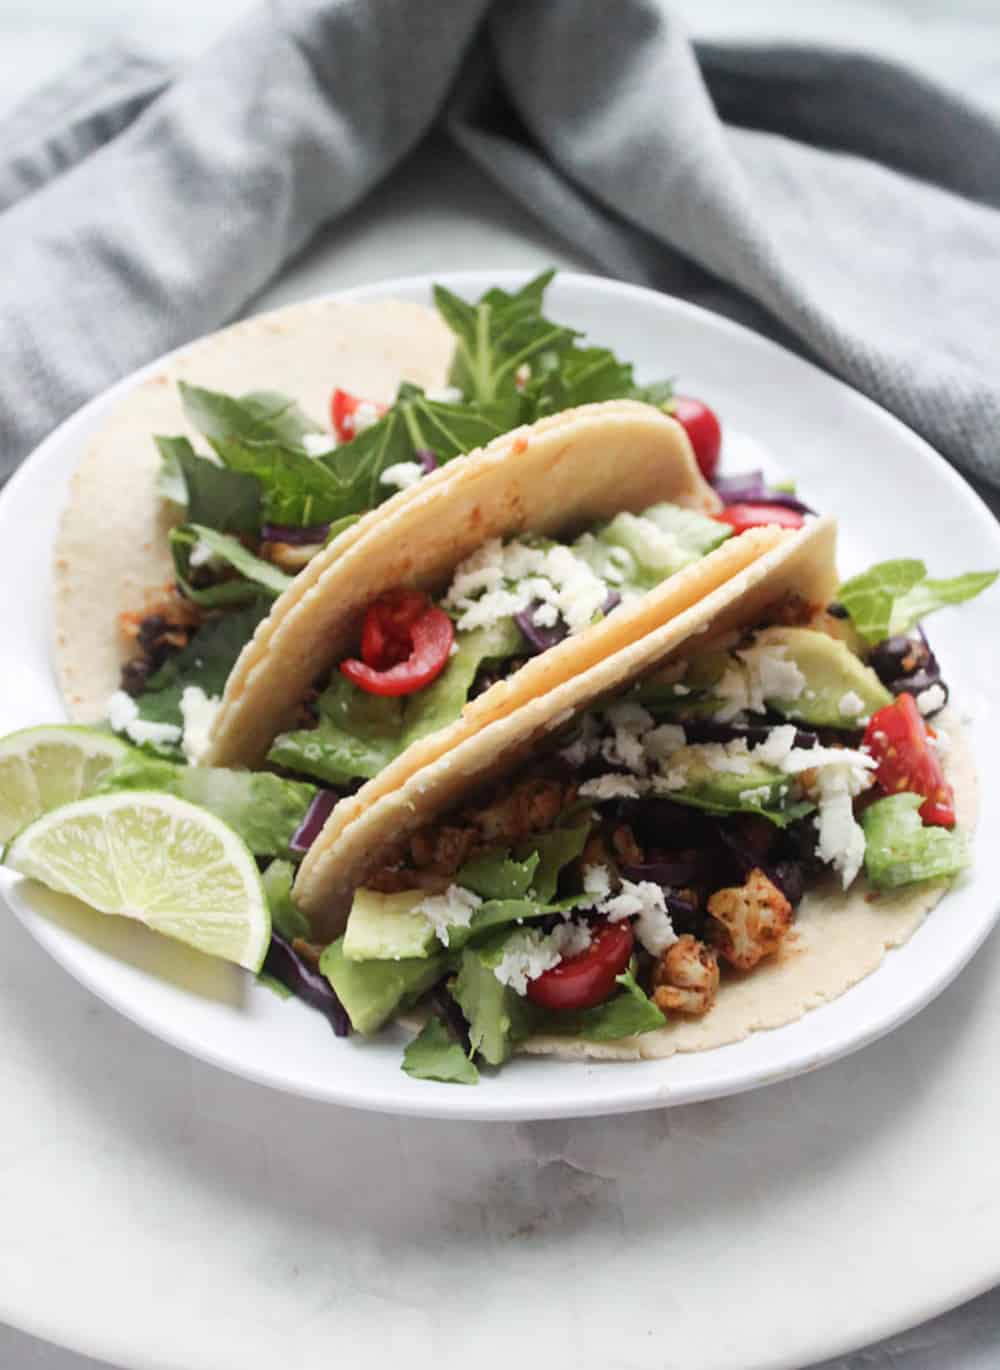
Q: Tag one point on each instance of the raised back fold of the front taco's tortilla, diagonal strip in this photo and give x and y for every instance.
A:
(357, 840)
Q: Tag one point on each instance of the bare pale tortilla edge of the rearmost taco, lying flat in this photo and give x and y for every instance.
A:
(113, 549)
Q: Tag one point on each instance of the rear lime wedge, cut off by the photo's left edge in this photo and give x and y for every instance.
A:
(45, 768)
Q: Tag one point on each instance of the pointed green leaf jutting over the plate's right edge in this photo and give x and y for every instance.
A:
(892, 597)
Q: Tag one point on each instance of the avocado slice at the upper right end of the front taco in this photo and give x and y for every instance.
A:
(836, 680)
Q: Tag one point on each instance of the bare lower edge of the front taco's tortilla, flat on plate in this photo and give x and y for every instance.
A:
(839, 939)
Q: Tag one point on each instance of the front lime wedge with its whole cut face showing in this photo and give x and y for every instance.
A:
(160, 860)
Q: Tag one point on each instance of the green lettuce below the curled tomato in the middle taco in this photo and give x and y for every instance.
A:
(358, 734)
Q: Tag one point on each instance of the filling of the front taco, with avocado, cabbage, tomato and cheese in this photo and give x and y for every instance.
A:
(662, 849)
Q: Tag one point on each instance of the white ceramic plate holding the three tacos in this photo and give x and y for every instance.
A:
(894, 497)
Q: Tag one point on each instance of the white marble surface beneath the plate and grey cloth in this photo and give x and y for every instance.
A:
(151, 1195)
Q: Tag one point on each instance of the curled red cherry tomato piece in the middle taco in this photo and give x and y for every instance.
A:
(413, 640)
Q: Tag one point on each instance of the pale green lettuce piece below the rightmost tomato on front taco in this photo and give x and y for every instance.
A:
(901, 850)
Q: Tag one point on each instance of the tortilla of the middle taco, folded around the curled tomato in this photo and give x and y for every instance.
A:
(551, 477)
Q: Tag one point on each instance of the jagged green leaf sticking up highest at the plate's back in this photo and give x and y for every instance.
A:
(495, 338)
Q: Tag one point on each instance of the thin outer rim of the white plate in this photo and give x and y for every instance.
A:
(438, 1101)
